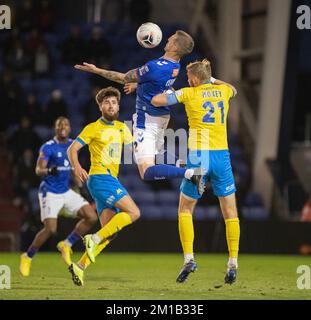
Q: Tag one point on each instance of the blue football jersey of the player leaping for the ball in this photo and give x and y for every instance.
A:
(155, 77)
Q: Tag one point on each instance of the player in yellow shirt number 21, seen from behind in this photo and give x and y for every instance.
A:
(207, 108)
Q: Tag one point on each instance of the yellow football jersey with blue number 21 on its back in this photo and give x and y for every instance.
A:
(207, 108)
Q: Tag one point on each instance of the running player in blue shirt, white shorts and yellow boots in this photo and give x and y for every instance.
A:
(54, 194)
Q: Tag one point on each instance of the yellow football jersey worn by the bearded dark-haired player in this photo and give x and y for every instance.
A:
(105, 141)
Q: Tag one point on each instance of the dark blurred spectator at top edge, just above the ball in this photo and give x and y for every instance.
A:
(139, 11)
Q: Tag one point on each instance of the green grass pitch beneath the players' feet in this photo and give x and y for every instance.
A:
(152, 276)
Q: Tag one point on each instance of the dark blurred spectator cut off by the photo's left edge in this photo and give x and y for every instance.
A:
(10, 93)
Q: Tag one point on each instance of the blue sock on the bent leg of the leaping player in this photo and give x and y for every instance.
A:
(163, 171)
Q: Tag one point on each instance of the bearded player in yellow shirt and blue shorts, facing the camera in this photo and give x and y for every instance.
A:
(116, 209)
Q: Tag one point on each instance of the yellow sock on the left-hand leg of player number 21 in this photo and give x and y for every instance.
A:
(186, 232)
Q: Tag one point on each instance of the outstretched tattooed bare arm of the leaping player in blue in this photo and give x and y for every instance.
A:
(130, 76)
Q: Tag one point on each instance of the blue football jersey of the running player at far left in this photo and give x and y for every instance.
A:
(55, 154)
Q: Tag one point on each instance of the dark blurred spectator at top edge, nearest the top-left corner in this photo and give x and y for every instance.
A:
(27, 16)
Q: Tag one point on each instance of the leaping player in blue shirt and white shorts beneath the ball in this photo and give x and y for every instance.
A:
(154, 77)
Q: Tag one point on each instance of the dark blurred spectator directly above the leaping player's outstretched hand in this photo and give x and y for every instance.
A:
(98, 49)
